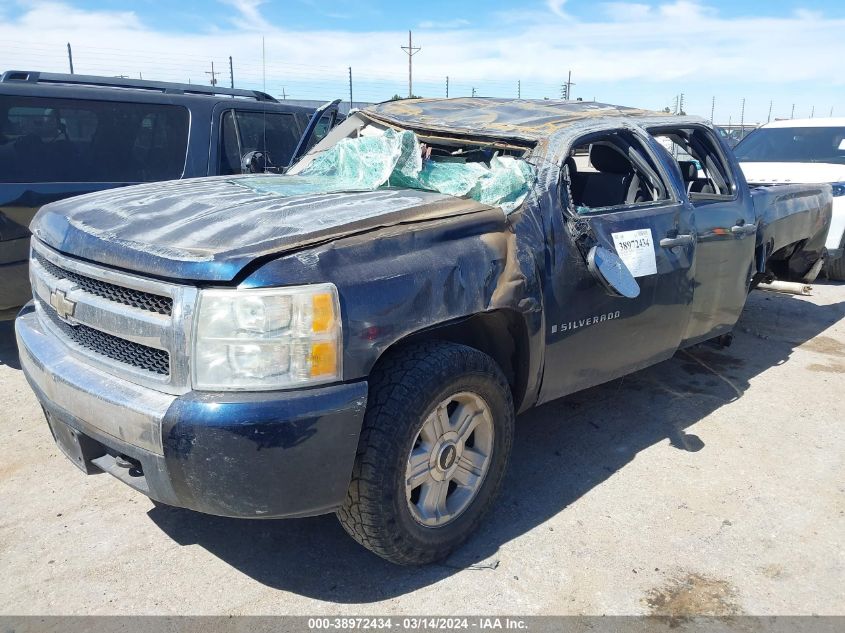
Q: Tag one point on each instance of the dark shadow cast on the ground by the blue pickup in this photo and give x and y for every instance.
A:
(562, 450)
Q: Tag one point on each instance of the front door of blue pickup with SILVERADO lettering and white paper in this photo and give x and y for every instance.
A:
(593, 337)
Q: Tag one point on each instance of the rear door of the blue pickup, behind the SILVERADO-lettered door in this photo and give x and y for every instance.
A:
(726, 230)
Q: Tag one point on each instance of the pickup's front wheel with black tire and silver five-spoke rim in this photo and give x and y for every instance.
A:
(407, 389)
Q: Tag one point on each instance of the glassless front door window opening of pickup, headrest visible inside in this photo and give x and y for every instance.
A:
(609, 172)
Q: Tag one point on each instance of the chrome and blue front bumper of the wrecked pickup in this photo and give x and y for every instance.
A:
(266, 455)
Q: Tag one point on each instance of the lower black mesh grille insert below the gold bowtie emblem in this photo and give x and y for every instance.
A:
(140, 356)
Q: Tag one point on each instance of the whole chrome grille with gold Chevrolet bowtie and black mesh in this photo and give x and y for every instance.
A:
(127, 325)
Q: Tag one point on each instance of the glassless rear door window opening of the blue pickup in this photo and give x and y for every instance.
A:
(702, 165)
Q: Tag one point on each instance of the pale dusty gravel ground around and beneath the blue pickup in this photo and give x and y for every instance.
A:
(709, 484)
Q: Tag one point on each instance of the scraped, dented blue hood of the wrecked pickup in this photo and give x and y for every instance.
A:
(209, 229)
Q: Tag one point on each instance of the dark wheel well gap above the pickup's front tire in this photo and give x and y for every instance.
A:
(501, 334)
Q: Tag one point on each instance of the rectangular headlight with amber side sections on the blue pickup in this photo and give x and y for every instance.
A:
(268, 338)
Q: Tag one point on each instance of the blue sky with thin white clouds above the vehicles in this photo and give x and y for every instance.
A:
(779, 55)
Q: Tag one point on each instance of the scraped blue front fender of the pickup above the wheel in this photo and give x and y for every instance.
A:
(401, 280)
